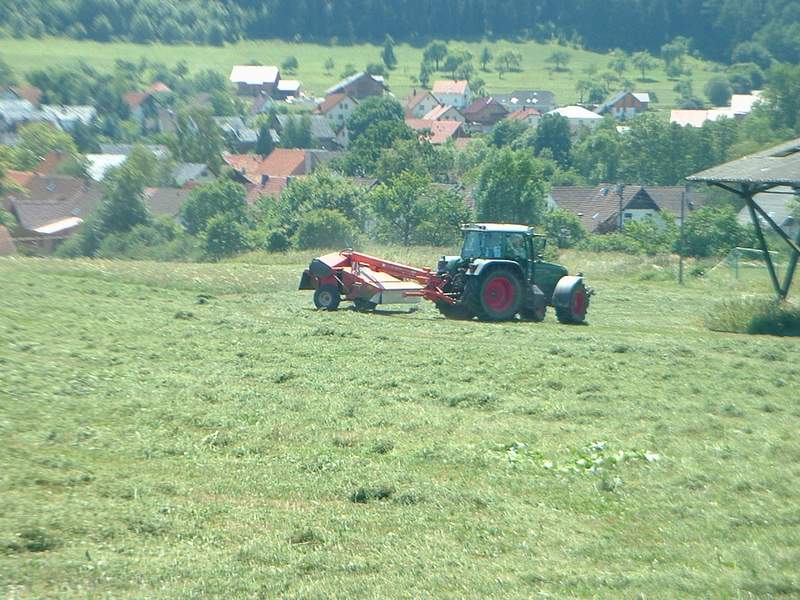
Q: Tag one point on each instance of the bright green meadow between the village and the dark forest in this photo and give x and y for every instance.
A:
(29, 54)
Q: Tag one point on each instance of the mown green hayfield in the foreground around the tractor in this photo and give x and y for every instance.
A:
(199, 431)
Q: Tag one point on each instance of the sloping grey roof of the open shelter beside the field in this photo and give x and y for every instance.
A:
(779, 165)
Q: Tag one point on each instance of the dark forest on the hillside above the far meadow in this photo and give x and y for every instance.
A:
(717, 28)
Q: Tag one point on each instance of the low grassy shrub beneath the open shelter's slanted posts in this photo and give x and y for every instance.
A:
(757, 316)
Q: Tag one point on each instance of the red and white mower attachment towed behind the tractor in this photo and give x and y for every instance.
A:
(368, 281)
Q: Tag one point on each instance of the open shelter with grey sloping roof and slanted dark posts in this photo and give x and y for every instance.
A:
(755, 174)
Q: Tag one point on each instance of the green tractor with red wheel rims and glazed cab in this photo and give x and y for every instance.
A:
(500, 273)
